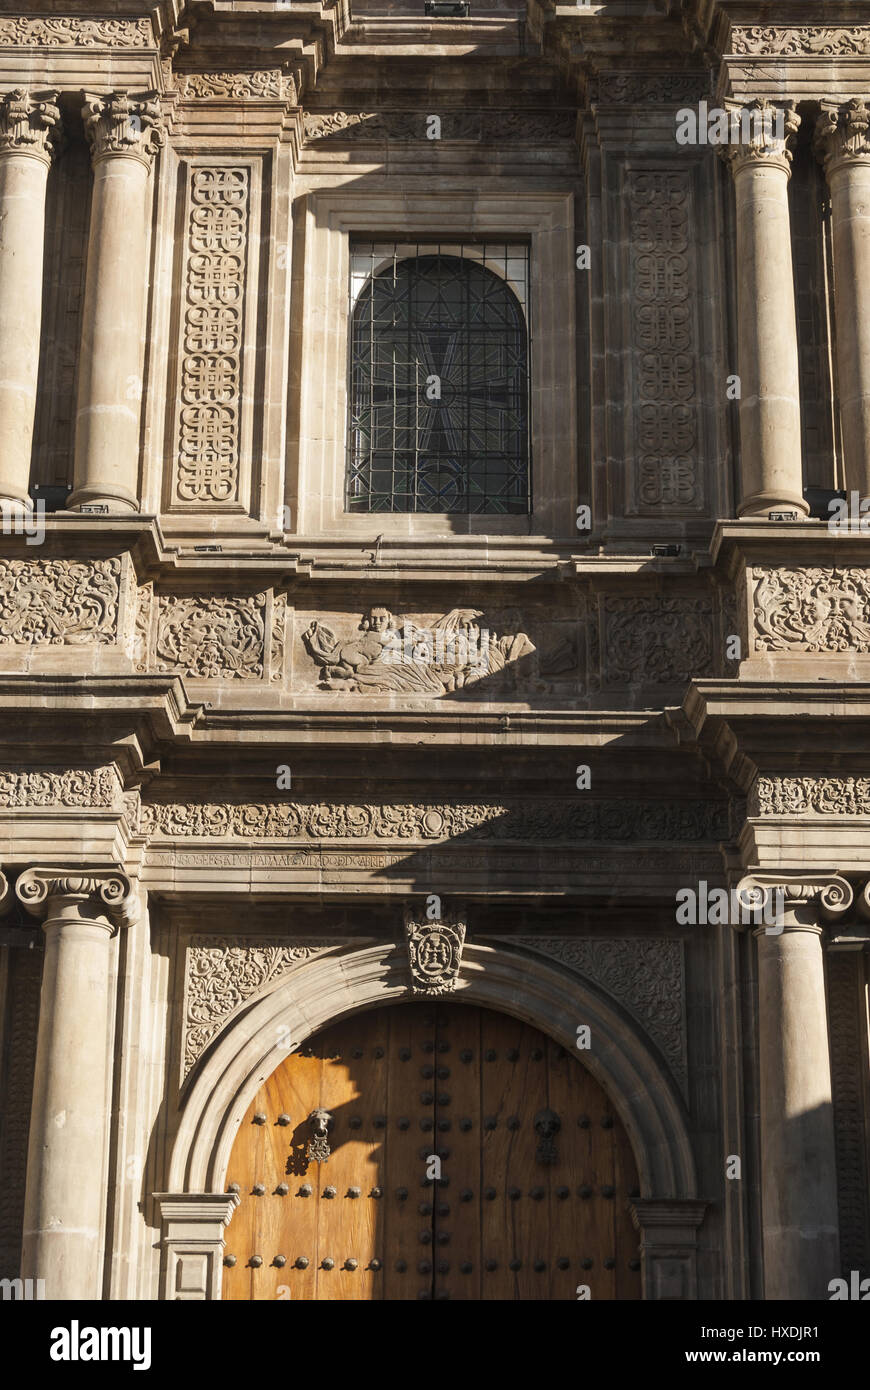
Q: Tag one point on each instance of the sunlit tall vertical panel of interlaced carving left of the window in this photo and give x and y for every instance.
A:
(213, 326)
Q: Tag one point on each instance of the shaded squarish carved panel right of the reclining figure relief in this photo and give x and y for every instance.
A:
(652, 640)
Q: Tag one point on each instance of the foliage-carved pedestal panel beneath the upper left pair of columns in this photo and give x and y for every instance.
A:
(60, 603)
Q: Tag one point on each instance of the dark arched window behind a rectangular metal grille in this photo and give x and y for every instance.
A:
(440, 386)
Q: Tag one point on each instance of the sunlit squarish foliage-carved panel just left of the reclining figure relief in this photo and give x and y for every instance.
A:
(212, 637)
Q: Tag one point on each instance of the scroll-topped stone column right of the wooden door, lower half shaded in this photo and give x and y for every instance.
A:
(800, 1214)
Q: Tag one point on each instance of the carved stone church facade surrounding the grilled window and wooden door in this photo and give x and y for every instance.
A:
(220, 801)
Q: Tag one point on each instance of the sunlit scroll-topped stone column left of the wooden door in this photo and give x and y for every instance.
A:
(65, 1216)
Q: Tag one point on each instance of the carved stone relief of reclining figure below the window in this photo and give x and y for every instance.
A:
(387, 654)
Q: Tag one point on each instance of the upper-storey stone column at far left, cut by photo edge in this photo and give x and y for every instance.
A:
(30, 126)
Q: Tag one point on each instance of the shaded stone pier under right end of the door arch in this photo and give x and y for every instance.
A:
(669, 1248)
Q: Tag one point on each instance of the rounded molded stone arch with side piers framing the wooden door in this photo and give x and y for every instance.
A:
(500, 976)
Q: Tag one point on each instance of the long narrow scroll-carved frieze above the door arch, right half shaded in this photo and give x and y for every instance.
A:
(522, 821)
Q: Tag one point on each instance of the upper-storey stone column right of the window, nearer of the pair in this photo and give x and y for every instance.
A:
(768, 332)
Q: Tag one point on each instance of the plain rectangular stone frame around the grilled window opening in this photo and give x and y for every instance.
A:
(320, 334)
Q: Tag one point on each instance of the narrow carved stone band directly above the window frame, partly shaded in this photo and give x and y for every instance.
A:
(409, 127)
